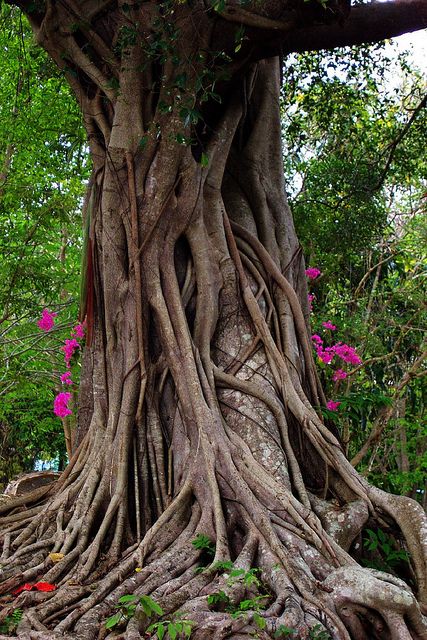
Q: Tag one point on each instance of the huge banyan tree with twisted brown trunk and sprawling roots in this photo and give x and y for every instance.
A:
(203, 474)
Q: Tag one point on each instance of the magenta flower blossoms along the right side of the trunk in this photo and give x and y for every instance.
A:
(326, 354)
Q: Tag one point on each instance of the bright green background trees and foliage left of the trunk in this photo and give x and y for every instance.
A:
(43, 162)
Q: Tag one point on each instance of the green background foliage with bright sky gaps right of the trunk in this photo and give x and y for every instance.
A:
(354, 140)
